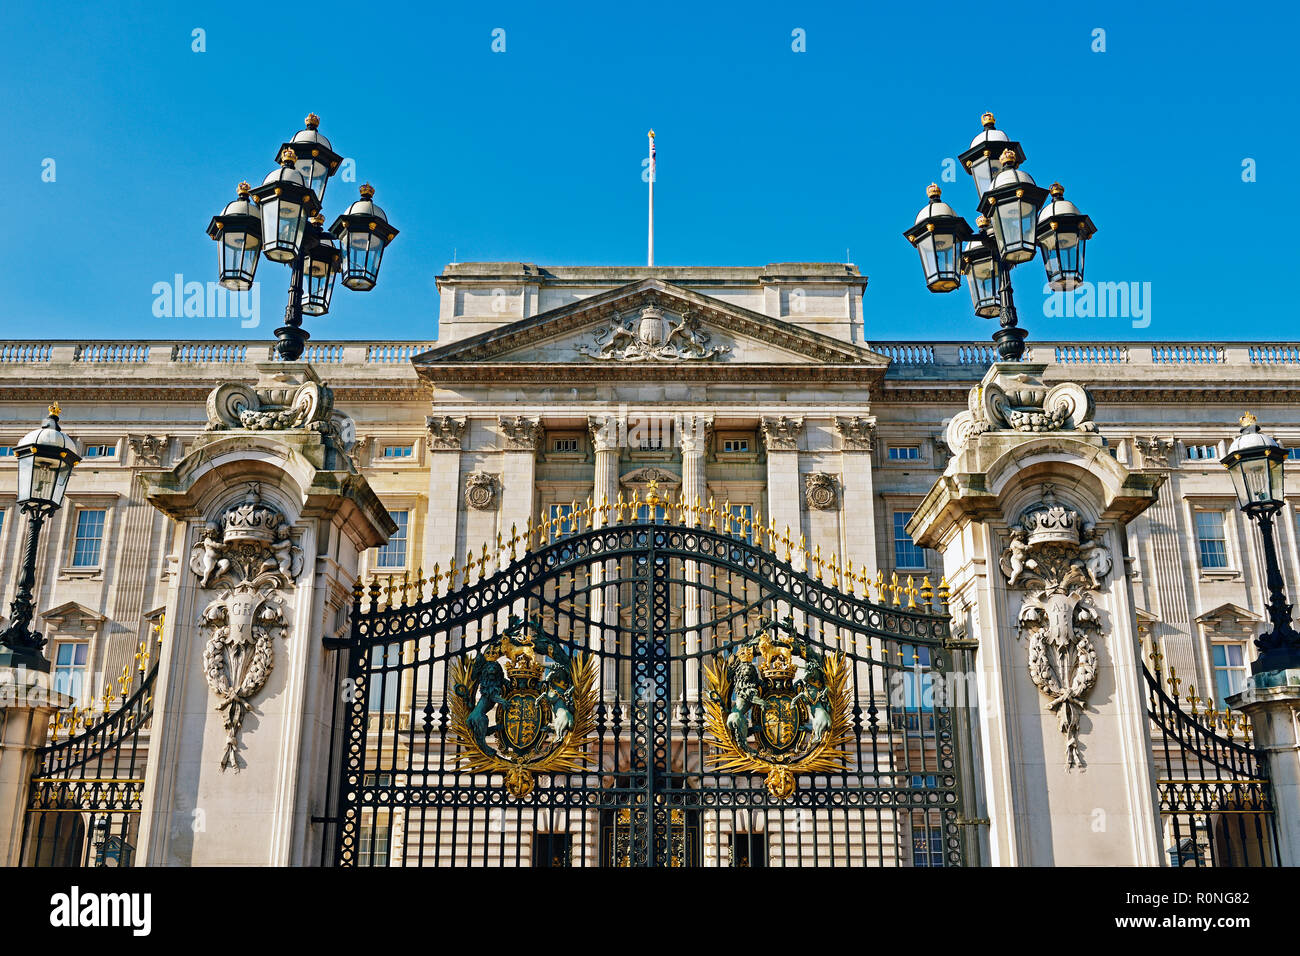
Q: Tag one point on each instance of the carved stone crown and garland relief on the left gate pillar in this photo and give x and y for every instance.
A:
(250, 556)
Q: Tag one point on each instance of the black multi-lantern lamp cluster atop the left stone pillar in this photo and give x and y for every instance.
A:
(281, 220)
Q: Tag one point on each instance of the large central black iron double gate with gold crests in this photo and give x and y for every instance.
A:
(606, 690)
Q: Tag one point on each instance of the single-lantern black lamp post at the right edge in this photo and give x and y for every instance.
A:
(1255, 462)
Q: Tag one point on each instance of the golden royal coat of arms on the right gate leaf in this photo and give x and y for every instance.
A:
(779, 708)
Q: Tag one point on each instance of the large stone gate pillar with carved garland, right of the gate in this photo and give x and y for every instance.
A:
(1030, 520)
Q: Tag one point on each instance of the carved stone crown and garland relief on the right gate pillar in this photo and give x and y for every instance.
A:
(1060, 563)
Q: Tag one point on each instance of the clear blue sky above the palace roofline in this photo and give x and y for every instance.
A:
(535, 154)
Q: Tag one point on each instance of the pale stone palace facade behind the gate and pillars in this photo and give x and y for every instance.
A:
(756, 390)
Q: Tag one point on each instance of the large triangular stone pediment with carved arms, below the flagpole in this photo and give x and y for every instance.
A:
(657, 325)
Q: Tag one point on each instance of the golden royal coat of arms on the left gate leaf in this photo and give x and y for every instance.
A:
(523, 706)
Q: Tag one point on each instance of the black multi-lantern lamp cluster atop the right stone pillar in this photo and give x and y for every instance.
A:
(1015, 224)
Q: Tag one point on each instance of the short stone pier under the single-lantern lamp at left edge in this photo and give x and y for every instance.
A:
(27, 704)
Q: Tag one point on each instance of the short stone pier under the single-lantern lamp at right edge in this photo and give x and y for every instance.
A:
(1272, 700)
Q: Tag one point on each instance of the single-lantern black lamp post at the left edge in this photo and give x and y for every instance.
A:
(46, 458)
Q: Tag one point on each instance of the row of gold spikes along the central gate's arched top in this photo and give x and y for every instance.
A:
(387, 592)
